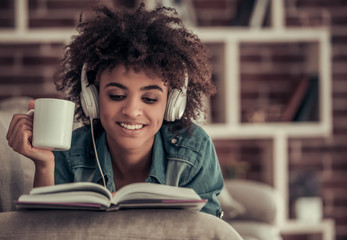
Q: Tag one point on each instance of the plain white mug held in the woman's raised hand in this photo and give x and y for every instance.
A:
(53, 122)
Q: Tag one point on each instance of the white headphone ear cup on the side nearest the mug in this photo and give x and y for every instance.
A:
(90, 101)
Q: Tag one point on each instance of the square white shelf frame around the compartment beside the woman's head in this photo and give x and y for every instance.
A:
(230, 40)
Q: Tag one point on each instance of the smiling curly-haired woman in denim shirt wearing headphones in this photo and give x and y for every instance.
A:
(147, 76)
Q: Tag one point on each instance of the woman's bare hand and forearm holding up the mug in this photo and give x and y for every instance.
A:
(19, 137)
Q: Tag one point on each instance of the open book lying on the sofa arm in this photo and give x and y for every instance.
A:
(92, 196)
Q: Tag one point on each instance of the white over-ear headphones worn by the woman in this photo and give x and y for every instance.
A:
(176, 103)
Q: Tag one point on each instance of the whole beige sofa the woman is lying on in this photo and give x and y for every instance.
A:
(242, 219)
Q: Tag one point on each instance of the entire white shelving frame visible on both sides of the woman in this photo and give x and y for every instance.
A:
(233, 128)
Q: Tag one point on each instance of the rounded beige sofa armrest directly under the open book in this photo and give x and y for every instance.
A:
(126, 224)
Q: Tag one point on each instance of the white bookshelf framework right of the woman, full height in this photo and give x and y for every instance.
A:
(228, 124)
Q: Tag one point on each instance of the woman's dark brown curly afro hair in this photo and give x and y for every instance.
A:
(155, 41)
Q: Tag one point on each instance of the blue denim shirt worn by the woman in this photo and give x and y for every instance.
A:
(185, 159)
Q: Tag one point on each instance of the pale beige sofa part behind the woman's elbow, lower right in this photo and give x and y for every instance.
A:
(251, 208)
